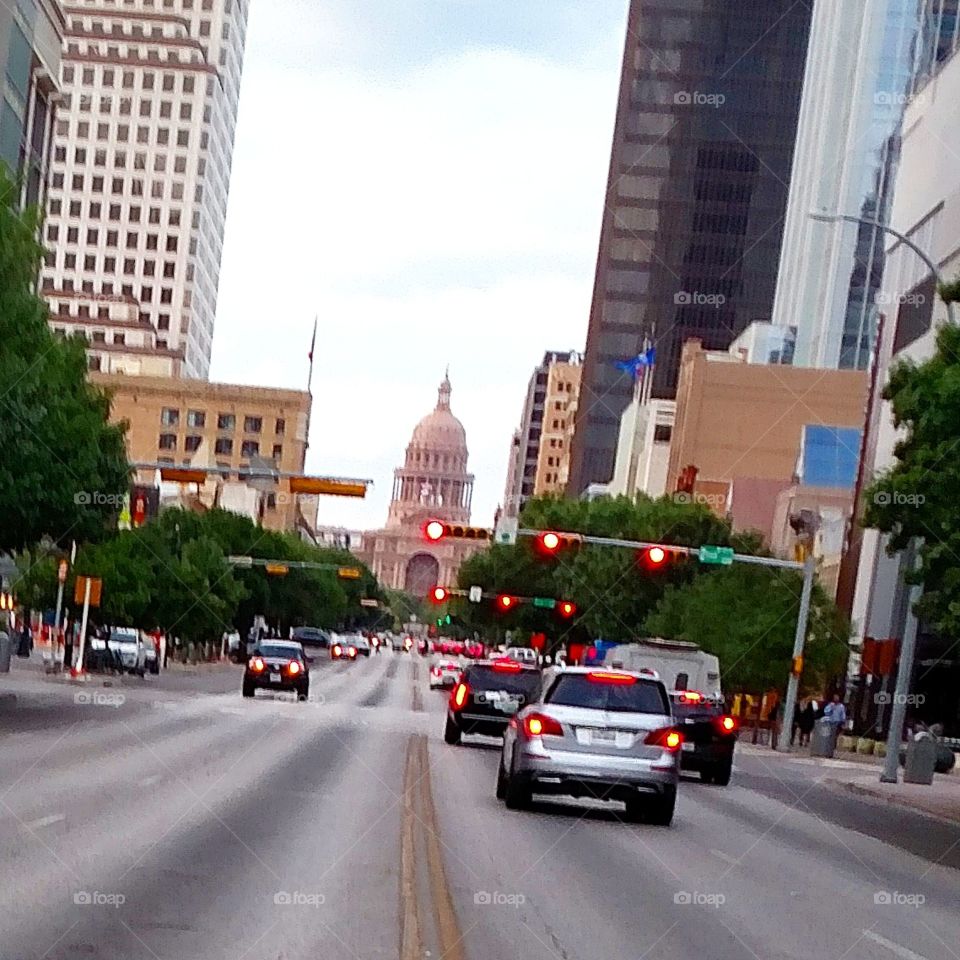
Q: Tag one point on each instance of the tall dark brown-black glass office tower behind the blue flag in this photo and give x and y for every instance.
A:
(696, 195)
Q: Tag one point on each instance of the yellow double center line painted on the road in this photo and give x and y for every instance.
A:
(419, 837)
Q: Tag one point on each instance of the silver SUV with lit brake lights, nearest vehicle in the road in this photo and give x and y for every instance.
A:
(600, 733)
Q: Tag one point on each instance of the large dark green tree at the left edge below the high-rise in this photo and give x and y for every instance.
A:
(63, 467)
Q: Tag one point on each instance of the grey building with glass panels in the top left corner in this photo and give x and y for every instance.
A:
(31, 38)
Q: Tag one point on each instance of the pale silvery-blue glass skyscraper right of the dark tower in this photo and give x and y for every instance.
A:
(860, 62)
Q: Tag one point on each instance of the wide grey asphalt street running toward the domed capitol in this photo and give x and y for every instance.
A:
(169, 818)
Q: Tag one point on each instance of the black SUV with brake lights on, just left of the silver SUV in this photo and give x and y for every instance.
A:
(486, 696)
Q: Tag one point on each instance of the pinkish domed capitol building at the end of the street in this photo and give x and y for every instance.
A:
(433, 483)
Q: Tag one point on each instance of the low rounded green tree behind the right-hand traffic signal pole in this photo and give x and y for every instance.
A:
(746, 615)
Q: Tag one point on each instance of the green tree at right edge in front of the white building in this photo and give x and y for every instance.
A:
(917, 496)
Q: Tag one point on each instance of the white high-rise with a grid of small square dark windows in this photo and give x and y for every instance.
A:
(141, 165)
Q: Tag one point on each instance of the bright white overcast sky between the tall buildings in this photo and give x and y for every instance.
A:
(427, 178)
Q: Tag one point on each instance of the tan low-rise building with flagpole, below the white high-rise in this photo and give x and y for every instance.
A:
(195, 422)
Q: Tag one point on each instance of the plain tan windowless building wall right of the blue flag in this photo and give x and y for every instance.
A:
(735, 418)
